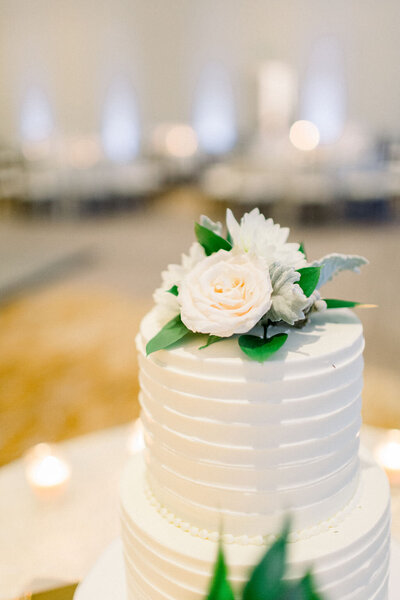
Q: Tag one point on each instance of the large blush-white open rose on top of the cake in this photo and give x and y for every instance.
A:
(225, 293)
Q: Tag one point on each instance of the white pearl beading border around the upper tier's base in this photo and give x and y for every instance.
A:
(245, 540)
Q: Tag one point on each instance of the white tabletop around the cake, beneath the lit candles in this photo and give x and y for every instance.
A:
(45, 544)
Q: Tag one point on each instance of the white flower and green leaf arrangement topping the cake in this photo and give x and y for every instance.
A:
(252, 278)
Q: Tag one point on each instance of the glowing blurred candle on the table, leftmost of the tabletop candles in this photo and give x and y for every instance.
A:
(46, 471)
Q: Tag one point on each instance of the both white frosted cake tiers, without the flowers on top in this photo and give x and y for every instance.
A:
(234, 445)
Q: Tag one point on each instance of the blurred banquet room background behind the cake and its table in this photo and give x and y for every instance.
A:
(122, 121)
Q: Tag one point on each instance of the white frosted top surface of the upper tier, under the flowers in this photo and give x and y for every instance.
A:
(327, 340)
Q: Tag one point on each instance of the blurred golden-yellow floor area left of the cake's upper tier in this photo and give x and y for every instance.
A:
(67, 365)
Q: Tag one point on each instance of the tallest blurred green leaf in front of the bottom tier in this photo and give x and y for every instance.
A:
(265, 581)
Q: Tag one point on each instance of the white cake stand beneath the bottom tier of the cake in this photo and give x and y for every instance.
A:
(107, 578)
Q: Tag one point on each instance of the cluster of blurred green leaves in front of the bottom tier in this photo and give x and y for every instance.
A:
(266, 581)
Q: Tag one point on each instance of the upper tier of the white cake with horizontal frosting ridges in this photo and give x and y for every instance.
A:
(240, 443)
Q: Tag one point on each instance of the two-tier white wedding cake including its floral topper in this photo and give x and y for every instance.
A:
(251, 410)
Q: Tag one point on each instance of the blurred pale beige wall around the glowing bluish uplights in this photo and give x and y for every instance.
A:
(72, 50)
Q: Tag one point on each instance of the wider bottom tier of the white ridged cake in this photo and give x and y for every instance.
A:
(164, 562)
